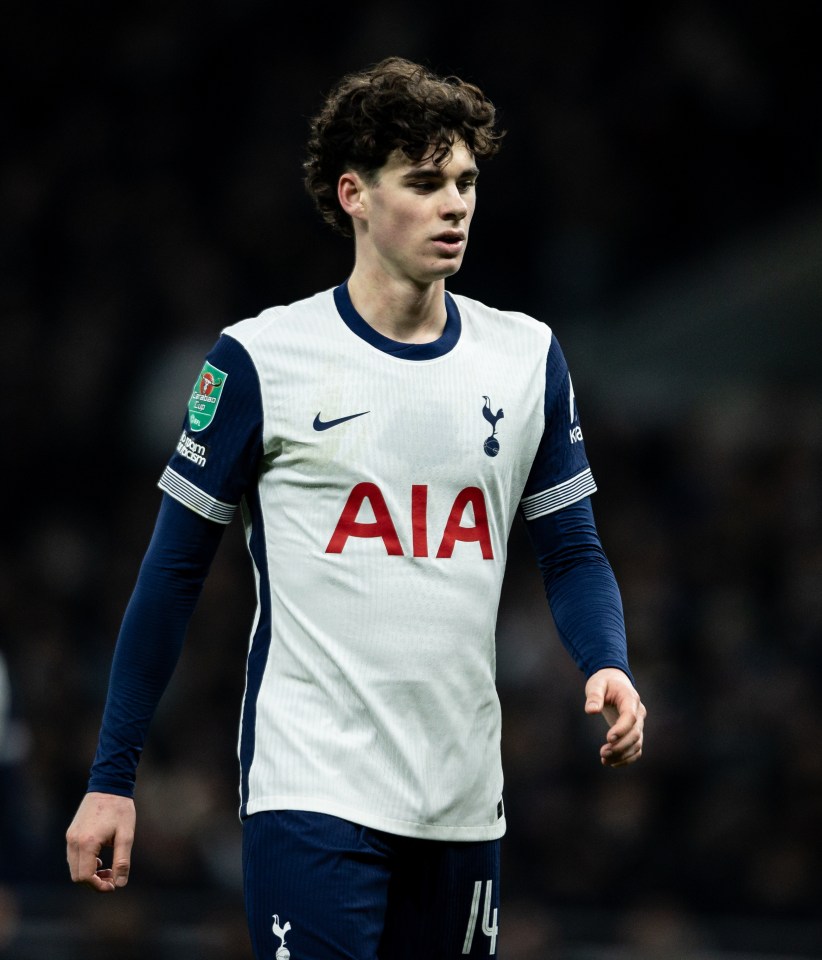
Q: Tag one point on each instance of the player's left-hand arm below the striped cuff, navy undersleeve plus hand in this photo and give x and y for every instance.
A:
(148, 647)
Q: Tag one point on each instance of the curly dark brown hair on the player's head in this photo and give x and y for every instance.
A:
(395, 104)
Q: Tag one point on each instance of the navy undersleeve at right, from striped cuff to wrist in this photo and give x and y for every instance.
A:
(581, 587)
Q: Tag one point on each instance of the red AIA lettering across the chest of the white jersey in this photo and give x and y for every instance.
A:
(467, 523)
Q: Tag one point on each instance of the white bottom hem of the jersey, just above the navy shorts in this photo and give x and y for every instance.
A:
(401, 828)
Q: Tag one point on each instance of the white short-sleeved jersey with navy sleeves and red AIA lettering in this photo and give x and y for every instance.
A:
(378, 483)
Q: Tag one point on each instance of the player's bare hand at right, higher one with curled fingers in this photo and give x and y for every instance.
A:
(611, 693)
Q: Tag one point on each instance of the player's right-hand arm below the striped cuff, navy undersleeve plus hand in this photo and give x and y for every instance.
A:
(587, 609)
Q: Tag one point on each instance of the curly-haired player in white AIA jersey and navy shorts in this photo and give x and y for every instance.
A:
(378, 438)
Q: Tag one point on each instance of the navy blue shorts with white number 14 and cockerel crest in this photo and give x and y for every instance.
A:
(317, 888)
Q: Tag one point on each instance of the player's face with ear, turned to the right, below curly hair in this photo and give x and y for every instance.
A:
(415, 216)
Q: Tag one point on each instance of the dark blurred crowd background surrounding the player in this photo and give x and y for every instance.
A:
(658, 202)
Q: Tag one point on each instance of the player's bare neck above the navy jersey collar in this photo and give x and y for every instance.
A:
(400, 311)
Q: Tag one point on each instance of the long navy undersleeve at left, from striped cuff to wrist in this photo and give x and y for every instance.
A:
(151, 638)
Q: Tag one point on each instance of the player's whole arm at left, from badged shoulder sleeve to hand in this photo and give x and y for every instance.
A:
(204, 482)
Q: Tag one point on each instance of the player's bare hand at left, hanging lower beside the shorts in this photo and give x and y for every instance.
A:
(102, 820)
